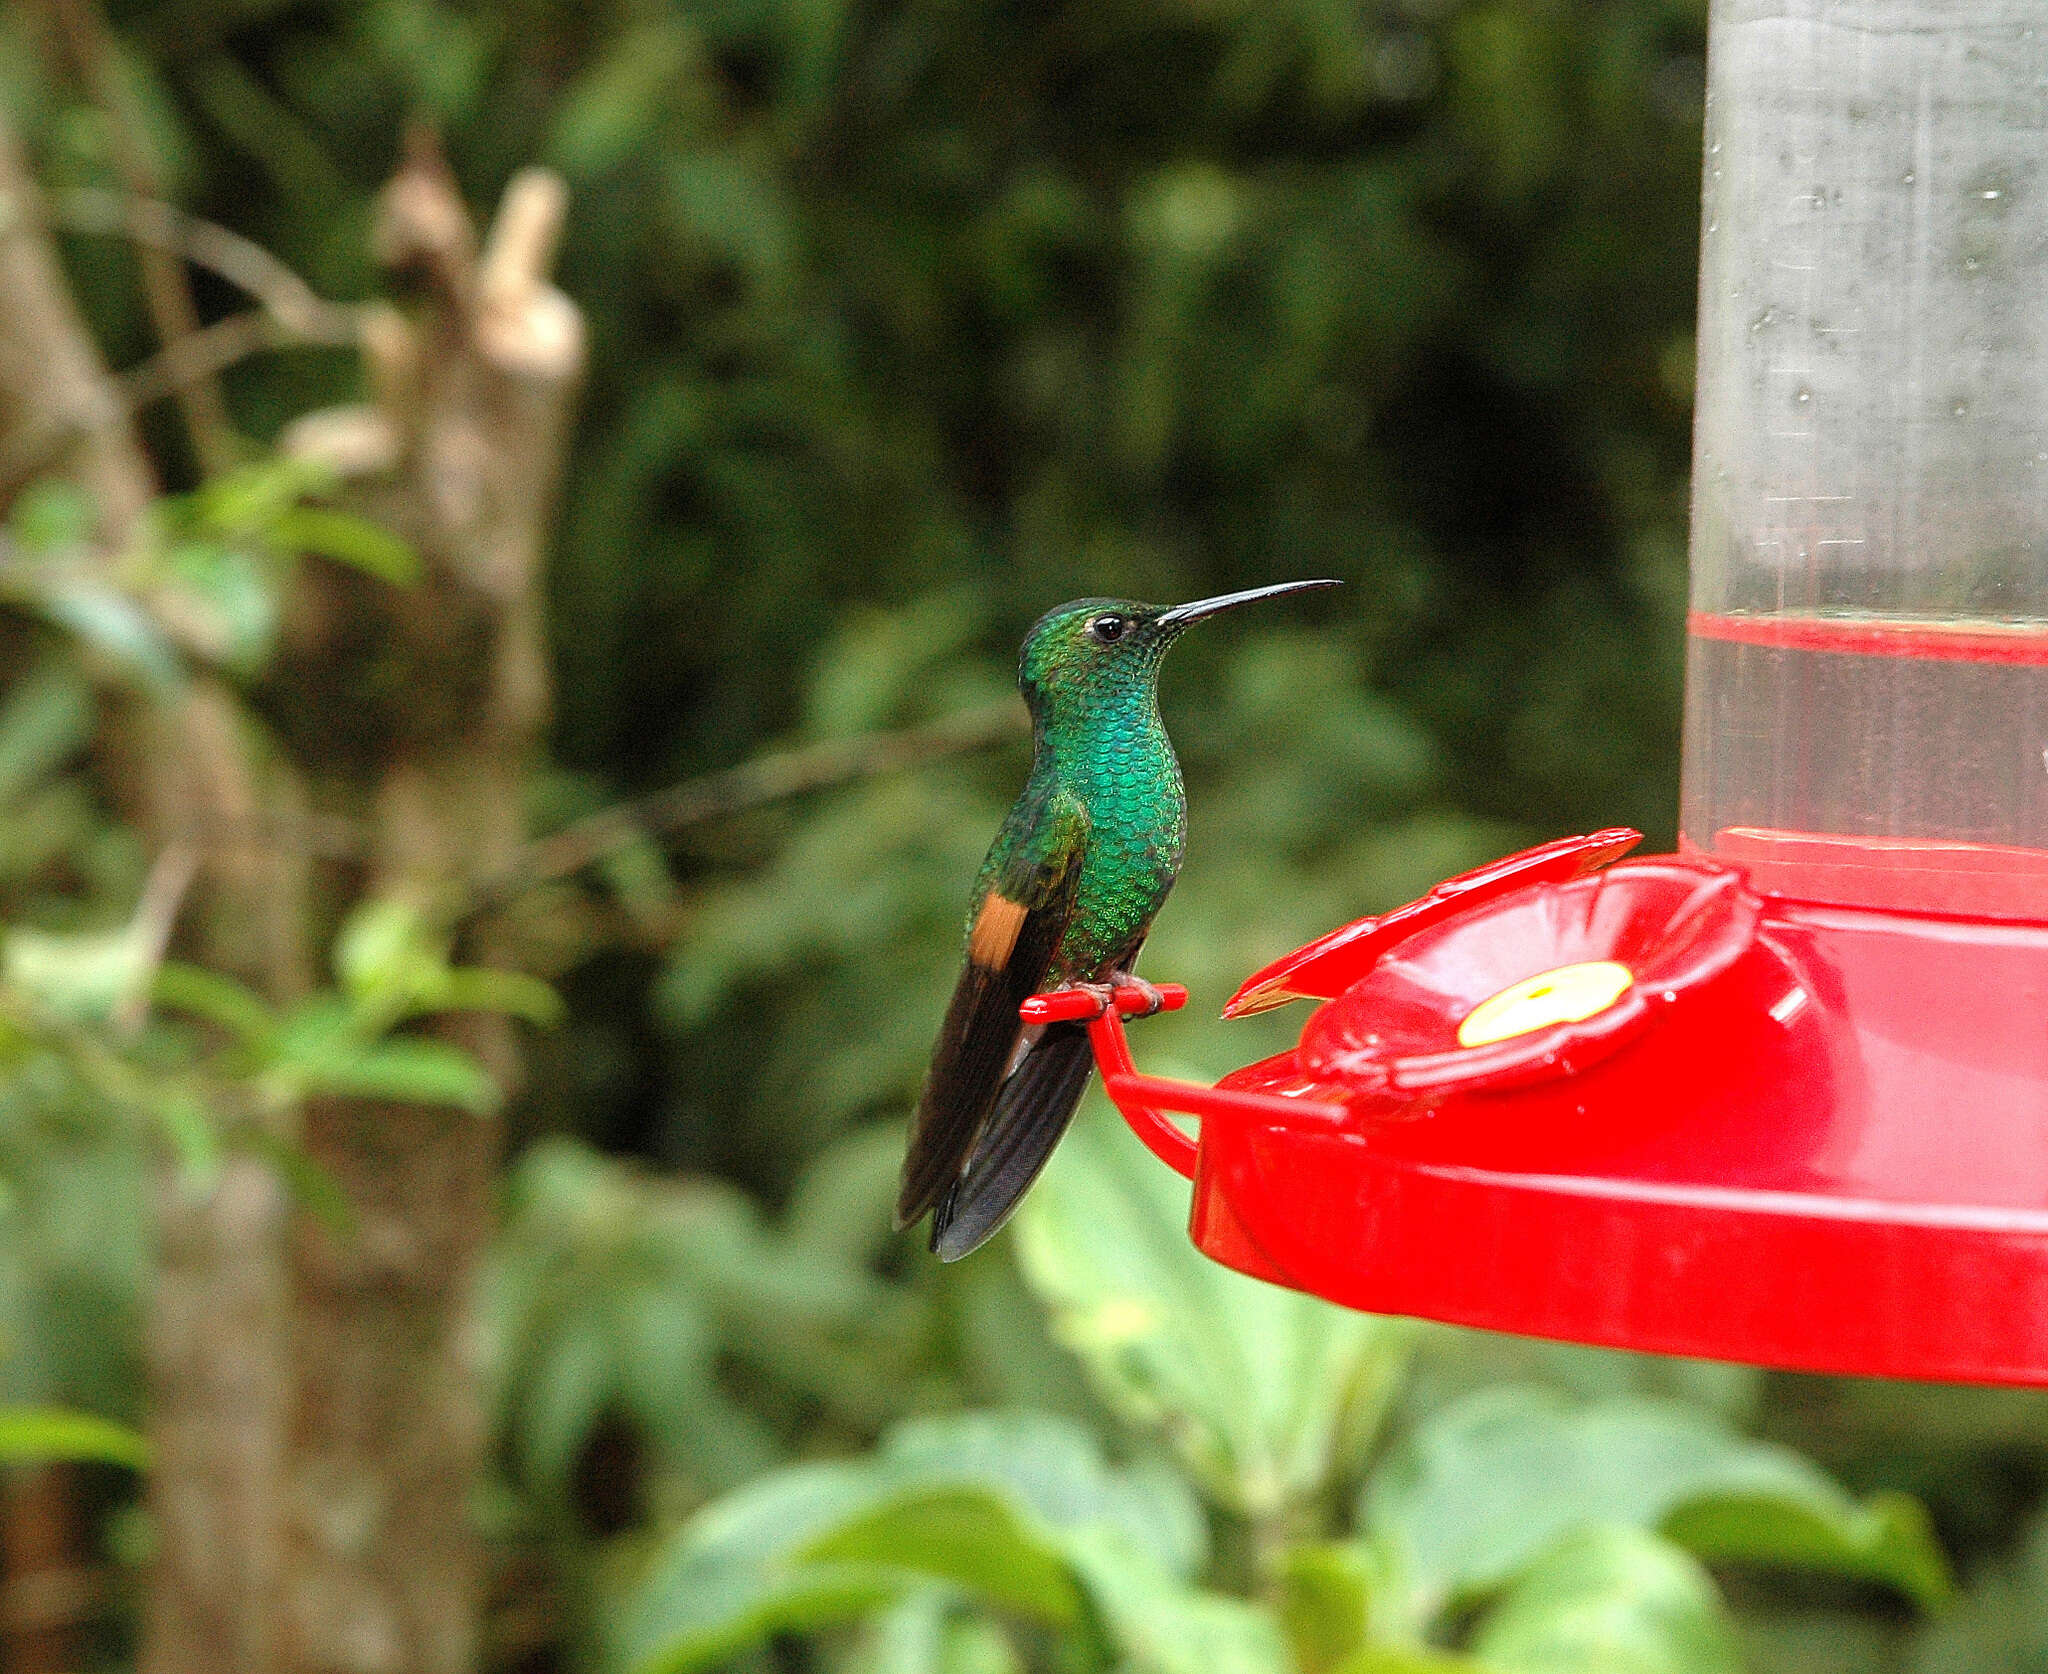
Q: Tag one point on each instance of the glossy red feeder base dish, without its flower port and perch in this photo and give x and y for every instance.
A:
(1838, 1165)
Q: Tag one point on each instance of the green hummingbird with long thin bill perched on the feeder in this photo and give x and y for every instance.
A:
(1064, 901)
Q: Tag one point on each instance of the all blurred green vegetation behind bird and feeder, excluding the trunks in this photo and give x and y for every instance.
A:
(906, 321)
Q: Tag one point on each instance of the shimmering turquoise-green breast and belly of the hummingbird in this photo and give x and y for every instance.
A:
(1138, 829)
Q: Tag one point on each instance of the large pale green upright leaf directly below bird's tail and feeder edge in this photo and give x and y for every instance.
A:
(1267, 1392)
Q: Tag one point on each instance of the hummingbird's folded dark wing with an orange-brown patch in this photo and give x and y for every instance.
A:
(1009, 954)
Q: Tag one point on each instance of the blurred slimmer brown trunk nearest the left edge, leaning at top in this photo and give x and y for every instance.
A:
(218, 1325)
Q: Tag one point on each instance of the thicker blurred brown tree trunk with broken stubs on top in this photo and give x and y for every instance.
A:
(390, 1433)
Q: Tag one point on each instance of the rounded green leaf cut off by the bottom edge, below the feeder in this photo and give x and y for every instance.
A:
(1611, 1601)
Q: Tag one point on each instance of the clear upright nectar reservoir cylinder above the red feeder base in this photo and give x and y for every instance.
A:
(1869, 669)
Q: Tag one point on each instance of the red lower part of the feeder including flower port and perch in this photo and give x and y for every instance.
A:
(1797, 1134)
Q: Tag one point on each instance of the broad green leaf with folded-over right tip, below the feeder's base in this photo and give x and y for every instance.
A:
(1494, 1478)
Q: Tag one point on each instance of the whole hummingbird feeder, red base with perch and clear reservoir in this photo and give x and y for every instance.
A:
(1781, 1097)
